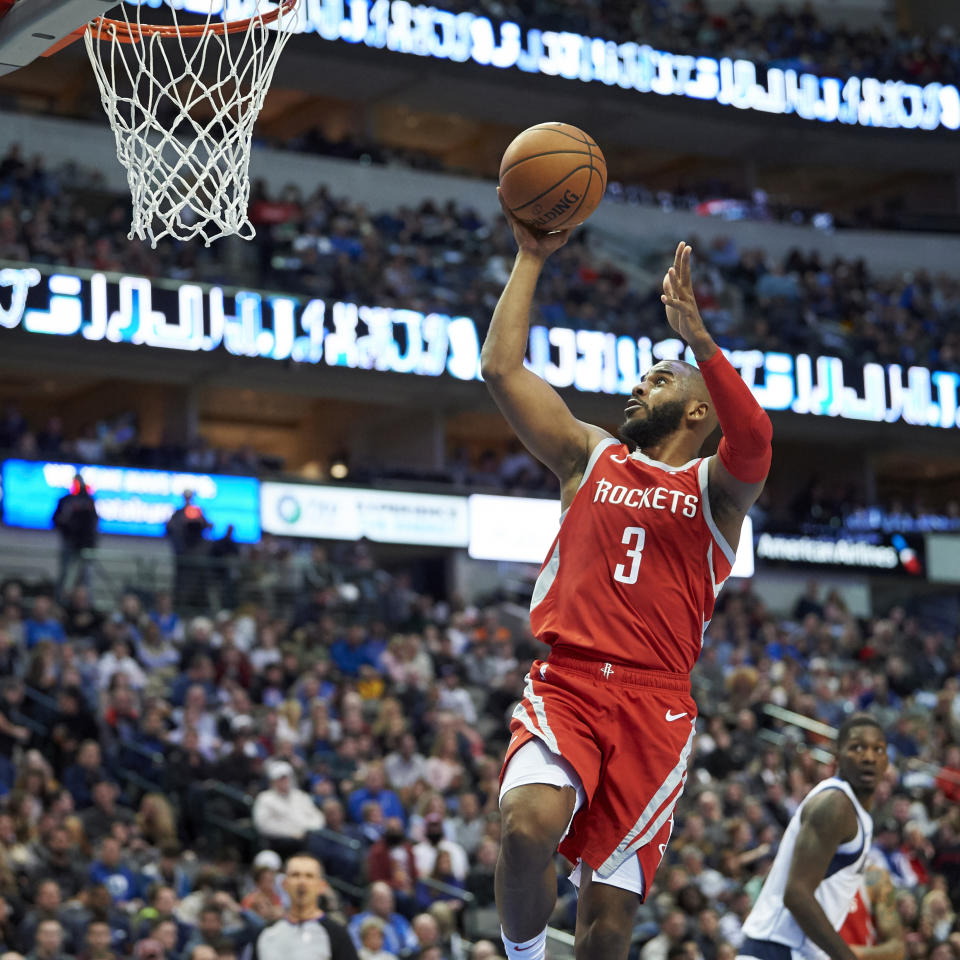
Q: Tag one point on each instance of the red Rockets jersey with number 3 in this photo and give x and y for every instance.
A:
(634, 572)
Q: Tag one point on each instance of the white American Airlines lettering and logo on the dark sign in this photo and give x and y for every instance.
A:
(894, 554)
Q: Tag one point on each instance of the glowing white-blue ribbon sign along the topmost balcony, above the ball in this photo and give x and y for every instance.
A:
(428, 31)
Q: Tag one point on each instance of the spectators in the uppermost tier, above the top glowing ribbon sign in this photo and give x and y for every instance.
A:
(787, 36)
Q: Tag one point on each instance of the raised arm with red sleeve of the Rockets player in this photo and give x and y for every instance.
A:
(739, 470)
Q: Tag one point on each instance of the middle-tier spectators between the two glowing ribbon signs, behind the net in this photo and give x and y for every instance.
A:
(448, 259)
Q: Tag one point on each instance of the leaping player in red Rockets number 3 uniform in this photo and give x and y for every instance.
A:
(601, 739)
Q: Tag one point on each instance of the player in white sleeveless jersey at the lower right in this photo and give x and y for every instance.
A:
(823, 854)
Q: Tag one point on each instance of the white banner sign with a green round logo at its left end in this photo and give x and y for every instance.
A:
(344, 513)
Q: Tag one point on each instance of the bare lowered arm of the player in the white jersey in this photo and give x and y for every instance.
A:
(828, 821)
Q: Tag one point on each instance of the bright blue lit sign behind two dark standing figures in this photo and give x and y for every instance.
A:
(129, 501)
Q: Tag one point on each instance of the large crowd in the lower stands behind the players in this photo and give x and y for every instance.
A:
(155, 770)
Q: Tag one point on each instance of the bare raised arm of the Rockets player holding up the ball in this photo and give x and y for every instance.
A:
(538, 415)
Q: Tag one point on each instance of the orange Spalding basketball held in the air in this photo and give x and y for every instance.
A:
(552, 176)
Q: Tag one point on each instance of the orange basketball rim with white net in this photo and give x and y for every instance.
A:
(182, 100)
